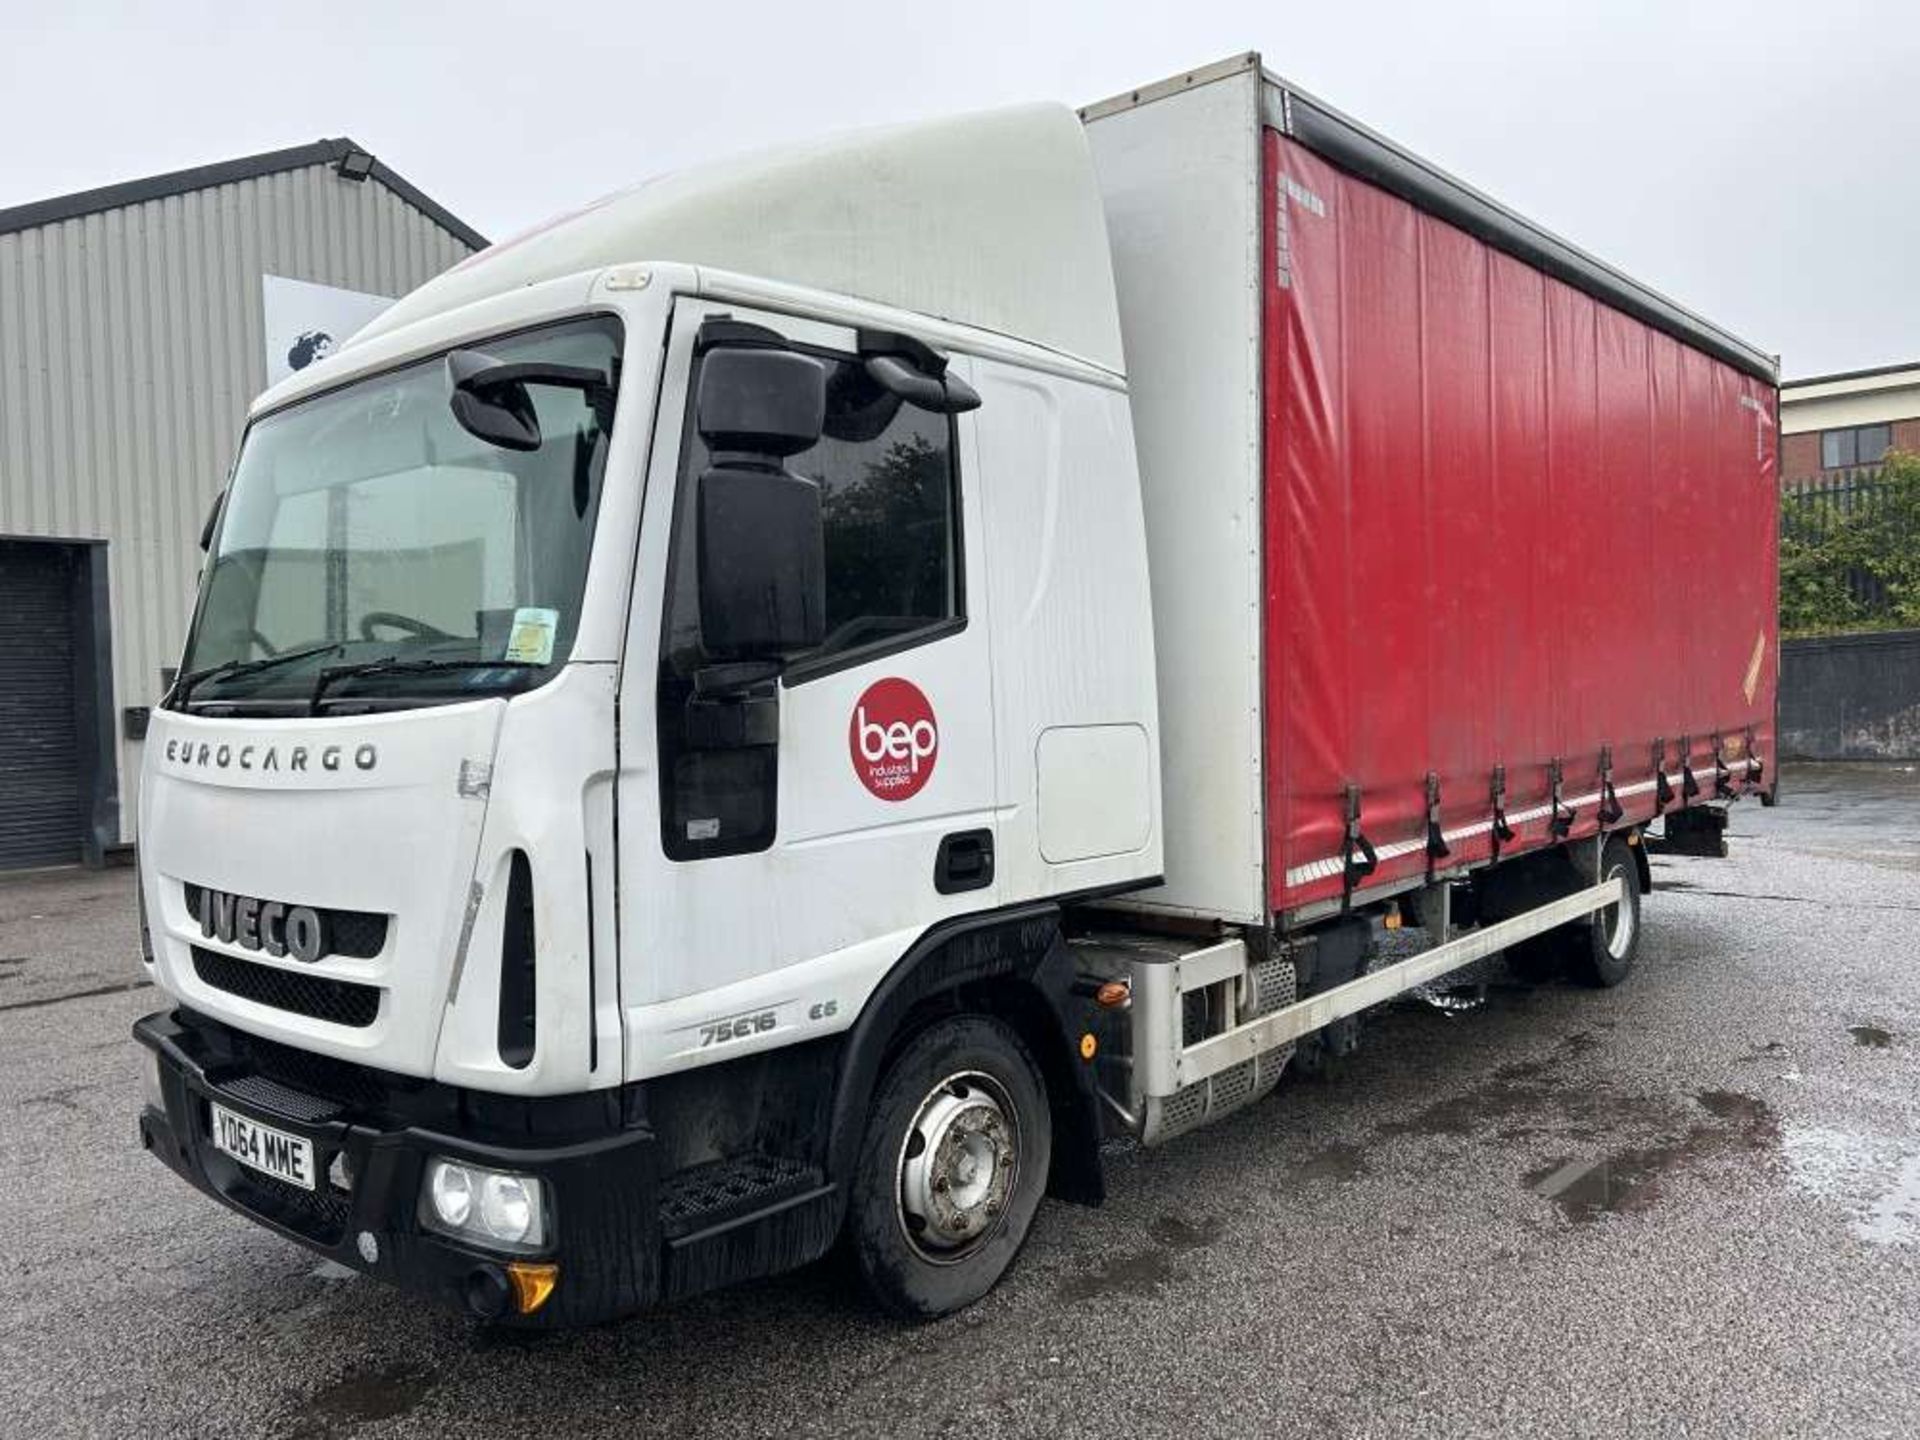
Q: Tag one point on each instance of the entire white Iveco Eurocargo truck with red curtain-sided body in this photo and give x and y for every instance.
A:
(792, 704)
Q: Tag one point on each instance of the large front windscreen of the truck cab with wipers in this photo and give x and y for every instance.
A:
(373, 552)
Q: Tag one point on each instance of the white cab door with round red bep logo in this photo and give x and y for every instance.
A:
(769, 886)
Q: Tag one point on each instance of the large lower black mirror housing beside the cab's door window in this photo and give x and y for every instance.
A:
(761, 565)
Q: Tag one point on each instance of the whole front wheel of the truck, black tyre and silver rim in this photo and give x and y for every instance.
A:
(951, 1170)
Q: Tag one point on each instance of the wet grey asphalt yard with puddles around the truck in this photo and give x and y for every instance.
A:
(1689, 1207)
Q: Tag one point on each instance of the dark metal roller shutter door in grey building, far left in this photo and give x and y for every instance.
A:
(39, 731)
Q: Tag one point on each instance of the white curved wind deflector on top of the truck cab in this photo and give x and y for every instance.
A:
(990, 220)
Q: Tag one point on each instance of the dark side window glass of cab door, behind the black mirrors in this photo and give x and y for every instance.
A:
(890, 502)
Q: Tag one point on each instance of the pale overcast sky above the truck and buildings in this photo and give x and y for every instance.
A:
(1754, 160)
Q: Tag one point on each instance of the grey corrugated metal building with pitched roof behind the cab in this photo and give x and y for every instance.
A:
(133, 333)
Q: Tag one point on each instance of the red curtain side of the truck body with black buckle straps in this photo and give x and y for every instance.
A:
(1506, 525)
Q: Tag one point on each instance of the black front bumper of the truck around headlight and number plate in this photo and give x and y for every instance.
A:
(602, 1184)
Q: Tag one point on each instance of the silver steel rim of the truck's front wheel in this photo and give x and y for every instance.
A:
(957, 1168)
